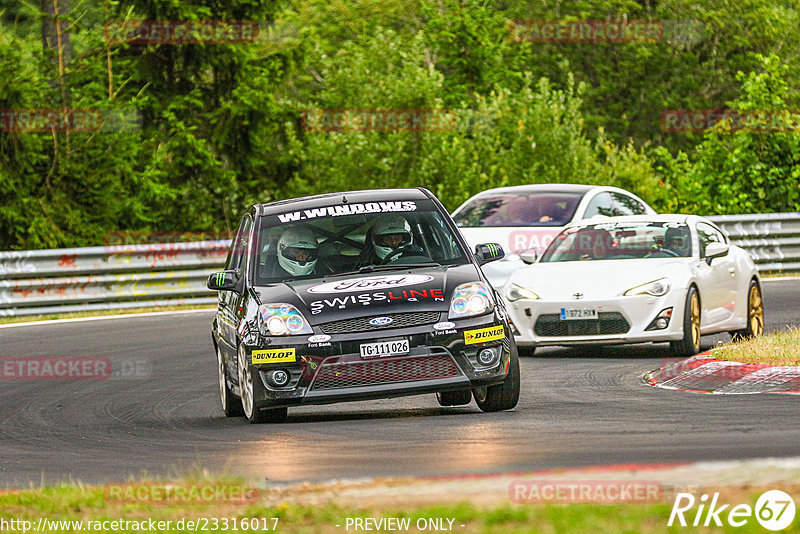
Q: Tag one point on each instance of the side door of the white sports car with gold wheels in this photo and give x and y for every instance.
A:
(717, 280)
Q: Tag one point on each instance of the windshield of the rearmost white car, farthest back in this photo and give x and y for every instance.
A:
(541, 208)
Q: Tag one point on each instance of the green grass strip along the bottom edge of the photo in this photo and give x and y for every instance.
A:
(92, 504)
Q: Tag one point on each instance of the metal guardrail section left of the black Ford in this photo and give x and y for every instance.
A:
(113, 277)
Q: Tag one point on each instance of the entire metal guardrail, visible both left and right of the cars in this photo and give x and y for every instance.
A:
(128, 276)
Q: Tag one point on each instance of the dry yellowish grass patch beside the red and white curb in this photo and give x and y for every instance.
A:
(777, 348)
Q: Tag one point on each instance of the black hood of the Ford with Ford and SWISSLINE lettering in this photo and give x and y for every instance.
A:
(335, 298)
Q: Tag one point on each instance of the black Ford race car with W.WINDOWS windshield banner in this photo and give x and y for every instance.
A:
(358, 295)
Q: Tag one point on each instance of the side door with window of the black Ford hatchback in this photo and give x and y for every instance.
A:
(230, 301)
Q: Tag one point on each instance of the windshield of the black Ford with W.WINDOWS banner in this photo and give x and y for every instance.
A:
(347, 238)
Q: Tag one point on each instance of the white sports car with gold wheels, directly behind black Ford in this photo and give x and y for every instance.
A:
(650, 278)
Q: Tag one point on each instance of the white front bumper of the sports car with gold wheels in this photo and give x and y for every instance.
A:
(623, 320)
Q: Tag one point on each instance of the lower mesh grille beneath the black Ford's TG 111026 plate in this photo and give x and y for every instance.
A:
(385, 371)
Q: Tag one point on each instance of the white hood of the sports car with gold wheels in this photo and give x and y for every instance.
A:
(597, 279)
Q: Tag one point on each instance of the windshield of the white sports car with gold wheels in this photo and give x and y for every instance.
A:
(620, 241)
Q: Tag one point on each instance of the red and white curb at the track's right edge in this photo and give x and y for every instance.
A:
(705, 374)
